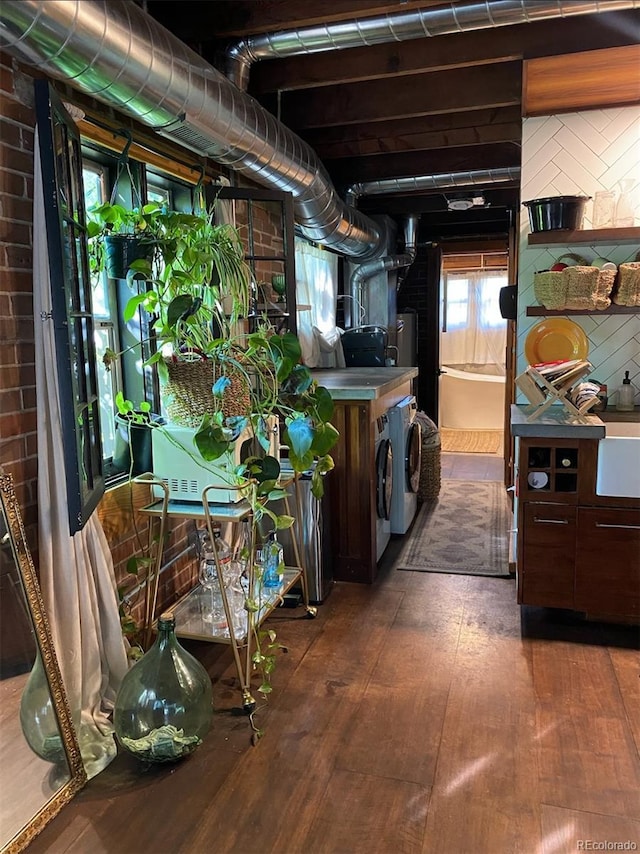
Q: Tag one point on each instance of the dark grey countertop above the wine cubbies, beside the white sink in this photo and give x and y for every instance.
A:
(557, 423)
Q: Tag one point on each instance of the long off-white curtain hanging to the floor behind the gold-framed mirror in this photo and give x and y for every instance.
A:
(76, 573)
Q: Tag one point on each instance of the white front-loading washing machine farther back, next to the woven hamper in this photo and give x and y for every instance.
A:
(406, 440)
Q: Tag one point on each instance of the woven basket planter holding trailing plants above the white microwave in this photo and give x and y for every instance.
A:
(190, 396)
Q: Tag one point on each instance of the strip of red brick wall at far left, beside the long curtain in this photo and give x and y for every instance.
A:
(18, 448)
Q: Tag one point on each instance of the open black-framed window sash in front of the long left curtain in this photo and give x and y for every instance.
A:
(71, 298)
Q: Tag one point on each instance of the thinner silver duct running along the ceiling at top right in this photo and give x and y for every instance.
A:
(401, 26)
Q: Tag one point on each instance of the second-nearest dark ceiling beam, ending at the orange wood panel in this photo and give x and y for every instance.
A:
(447, 91)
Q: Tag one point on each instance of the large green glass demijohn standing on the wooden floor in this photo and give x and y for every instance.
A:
(164, 706)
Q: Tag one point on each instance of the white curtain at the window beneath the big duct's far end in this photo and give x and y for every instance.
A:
(316, 296)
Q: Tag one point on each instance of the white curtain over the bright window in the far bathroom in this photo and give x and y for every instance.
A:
(474, 335)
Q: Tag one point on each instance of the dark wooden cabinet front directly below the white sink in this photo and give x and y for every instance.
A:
(608, 562)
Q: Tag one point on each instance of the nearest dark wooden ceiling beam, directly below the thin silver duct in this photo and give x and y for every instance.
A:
(525, 41)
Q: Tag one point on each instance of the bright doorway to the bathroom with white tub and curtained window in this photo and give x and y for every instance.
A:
(473, 346)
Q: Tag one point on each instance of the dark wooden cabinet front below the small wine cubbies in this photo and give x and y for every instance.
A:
(546, 573)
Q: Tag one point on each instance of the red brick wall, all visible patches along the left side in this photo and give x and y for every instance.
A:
(125, 527)
